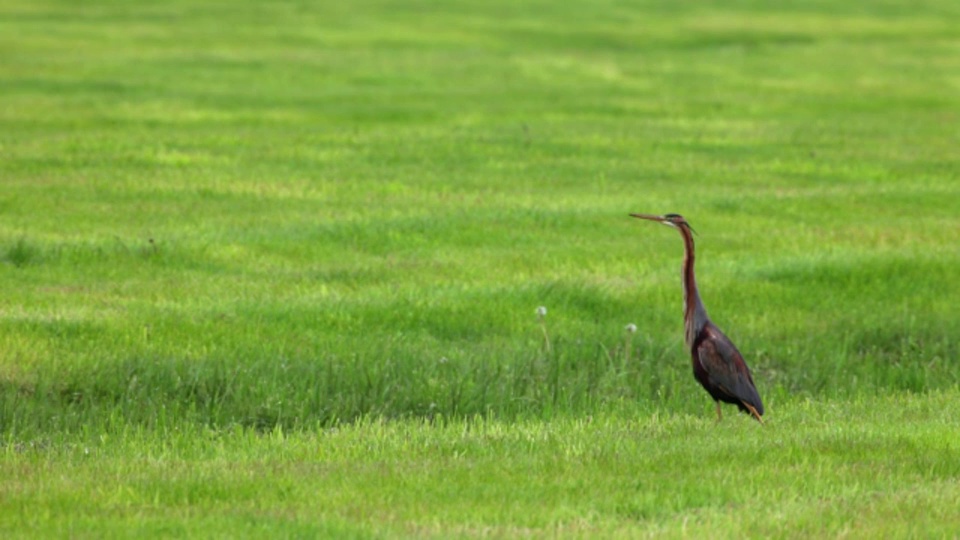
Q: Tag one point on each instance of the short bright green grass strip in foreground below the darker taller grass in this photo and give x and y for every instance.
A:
(875, 467)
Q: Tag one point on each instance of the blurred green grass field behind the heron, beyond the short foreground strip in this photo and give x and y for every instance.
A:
(296, 213)
